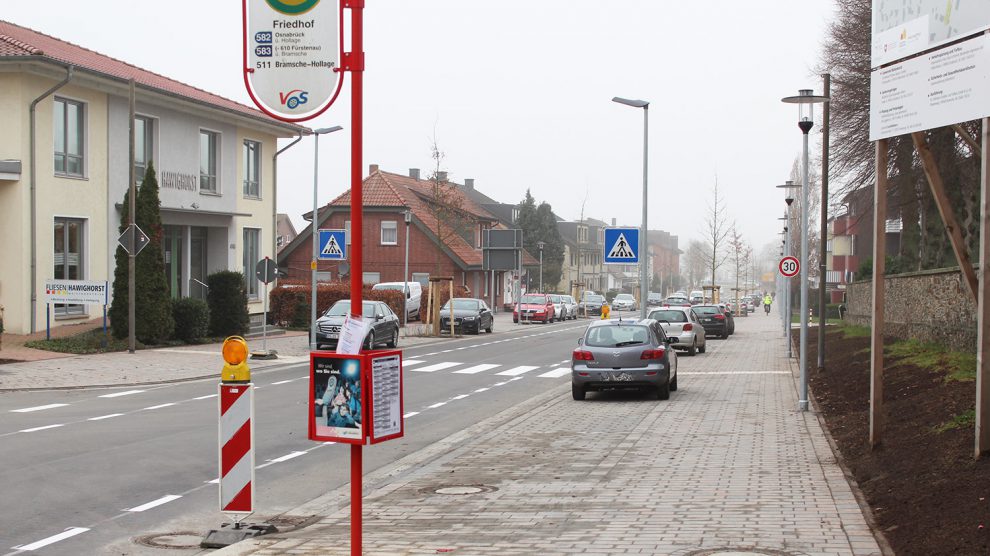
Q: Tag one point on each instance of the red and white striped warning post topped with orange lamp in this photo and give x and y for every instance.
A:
(236, 432)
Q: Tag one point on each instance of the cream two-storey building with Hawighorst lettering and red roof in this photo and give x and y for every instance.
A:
(65, 148)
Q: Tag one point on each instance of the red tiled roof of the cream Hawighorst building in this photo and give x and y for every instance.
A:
(21, 41)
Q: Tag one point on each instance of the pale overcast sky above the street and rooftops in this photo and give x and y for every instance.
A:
(519, 95)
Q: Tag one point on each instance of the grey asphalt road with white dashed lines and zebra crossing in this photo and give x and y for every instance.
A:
(93, 471)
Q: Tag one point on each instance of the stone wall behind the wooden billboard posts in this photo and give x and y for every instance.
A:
(931, 305)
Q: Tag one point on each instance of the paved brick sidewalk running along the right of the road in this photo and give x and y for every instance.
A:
(727, 463)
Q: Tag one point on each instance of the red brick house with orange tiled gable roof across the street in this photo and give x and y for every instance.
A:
(386, 197)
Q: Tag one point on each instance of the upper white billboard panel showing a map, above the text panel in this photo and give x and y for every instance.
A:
(902, 28)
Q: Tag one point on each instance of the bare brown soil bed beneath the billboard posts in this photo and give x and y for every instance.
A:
(927, 493)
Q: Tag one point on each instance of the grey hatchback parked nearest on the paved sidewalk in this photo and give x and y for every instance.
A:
(615, 354)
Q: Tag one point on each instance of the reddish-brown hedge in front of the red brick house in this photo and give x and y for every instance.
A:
(289, 302)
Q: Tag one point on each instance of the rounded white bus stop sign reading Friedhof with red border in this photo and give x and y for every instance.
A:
(292, 56)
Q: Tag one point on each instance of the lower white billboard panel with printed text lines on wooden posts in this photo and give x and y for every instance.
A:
(944, 87)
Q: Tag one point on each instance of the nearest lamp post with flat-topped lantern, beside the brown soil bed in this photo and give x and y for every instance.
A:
(806, 101)
